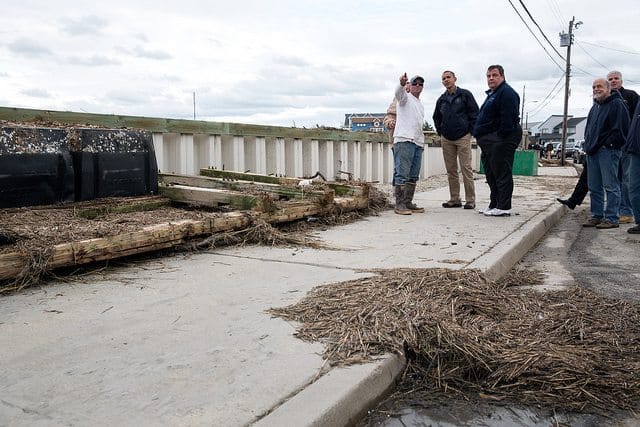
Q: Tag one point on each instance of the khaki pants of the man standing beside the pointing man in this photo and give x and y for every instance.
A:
(454, 151)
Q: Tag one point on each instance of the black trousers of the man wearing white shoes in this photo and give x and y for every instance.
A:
(497, 158)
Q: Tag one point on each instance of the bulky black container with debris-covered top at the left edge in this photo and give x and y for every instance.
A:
(40, 166)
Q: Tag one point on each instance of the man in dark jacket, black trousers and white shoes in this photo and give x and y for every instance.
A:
(498, 132)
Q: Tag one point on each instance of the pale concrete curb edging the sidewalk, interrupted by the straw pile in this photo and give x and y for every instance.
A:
(343, 395)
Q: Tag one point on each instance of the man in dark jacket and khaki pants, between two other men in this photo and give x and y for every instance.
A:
(454, 117)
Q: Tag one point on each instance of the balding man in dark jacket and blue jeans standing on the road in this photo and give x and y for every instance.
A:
(604, 136)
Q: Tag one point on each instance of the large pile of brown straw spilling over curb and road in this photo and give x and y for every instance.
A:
(502, 341)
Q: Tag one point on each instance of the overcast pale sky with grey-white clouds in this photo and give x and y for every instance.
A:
(300, 62)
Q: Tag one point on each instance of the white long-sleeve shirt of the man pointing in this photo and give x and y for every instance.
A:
(409, 119)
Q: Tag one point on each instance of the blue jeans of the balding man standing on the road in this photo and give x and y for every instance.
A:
(603, 179)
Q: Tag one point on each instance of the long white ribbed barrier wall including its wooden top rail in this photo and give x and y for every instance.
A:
(186, 146)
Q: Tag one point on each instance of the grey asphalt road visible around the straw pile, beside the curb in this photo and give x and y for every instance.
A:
(607, 262)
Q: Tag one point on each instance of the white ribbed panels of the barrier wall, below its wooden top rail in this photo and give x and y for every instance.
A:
(370, 161)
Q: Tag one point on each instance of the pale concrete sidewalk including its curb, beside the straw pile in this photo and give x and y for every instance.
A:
(185, 340)
